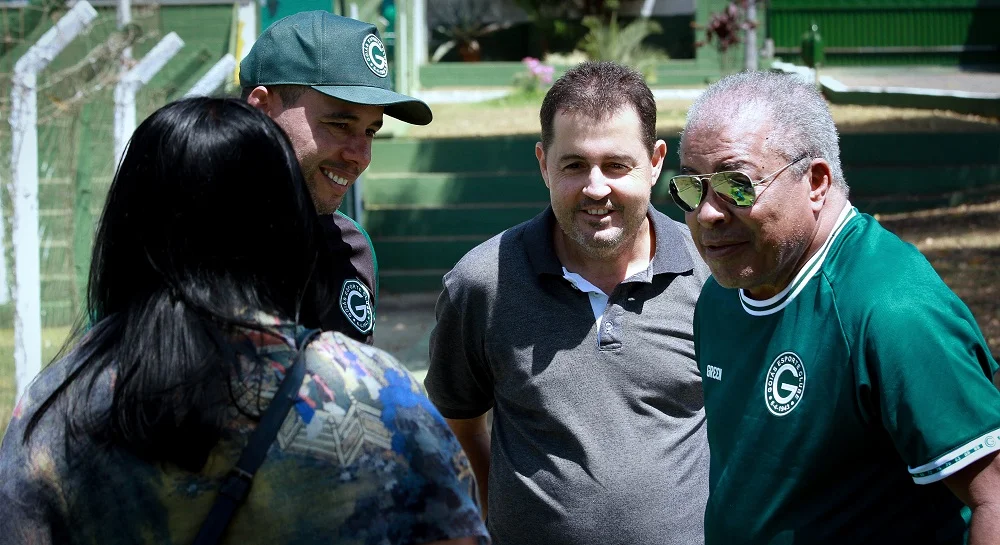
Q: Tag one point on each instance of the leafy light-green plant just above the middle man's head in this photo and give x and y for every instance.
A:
(609, 41)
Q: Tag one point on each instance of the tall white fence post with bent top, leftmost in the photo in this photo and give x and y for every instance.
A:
(24, 193)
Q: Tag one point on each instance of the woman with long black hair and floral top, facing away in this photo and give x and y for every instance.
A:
(207, 272)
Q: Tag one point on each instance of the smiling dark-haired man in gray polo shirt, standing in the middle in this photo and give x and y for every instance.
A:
(576, 329)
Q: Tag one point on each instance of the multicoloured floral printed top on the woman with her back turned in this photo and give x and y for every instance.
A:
(362, 458)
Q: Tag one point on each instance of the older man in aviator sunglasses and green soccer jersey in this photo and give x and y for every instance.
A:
(847, 389)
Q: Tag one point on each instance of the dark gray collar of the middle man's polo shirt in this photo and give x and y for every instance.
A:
(672, 255)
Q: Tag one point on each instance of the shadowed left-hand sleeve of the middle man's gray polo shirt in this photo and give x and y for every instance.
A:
(459, 380)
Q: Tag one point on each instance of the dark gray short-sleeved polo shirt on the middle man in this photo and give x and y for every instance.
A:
(597, 439)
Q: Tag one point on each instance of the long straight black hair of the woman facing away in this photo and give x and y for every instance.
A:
(208, 221)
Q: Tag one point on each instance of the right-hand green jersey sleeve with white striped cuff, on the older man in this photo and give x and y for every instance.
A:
(932, 371)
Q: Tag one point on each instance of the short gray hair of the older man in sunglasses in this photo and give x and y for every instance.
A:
(799, 112)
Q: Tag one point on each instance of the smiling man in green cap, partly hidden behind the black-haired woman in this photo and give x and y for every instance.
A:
(324, 80)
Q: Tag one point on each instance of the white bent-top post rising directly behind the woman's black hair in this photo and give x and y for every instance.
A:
(135, 79)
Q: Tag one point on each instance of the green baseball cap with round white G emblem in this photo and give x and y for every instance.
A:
(338, 56)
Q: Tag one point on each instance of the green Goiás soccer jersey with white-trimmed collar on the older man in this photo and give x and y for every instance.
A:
(831, 403)
